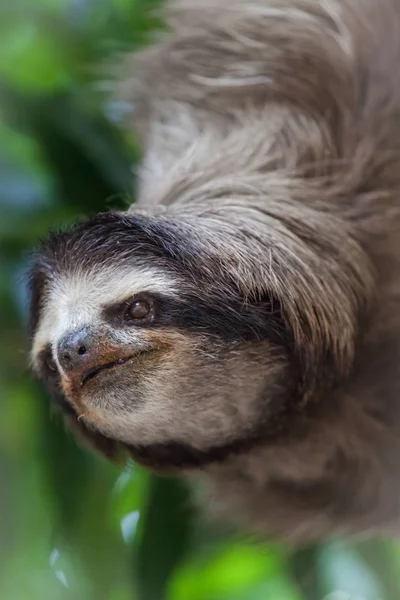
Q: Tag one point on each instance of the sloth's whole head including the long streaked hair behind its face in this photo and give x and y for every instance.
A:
(156, 334)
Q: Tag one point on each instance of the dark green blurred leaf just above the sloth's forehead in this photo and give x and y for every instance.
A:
(72, 142)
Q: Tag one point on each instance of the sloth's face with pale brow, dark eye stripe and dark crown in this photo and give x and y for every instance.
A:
(143, 339)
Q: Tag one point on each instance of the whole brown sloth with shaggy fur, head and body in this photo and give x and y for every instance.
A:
(239, 325)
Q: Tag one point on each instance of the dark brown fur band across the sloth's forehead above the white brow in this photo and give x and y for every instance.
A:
(107, 239)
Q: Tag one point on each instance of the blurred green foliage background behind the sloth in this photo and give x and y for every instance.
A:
(71, 525)
